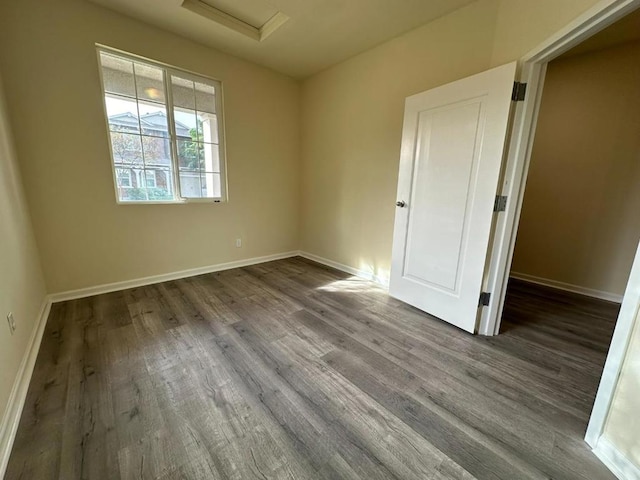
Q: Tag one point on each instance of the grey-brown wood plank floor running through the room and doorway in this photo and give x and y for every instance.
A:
(292, 370)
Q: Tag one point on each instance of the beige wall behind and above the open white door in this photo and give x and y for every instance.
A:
(352, 118)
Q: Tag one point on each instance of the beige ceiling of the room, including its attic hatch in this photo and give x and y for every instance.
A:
(295, 37)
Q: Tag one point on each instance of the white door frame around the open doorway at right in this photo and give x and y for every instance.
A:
(533, 68)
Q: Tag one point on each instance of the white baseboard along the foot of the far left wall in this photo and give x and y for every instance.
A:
(18, 395)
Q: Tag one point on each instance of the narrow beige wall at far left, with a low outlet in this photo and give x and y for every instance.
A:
(22, 289)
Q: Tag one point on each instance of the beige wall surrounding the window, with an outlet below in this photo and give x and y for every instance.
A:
(48, 56)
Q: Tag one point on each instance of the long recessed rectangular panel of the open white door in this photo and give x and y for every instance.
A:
(437, 221)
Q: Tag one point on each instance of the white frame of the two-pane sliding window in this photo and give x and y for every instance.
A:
(167, 71)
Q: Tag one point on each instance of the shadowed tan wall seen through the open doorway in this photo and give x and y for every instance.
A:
(580, 222)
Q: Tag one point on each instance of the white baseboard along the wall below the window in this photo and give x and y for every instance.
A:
(165, 277)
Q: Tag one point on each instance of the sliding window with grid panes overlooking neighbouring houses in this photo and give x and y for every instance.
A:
(165, 131)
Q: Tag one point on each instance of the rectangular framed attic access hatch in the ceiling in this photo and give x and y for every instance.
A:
(255, 19)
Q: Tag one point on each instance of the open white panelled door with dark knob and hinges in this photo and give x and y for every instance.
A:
(452, 148)
